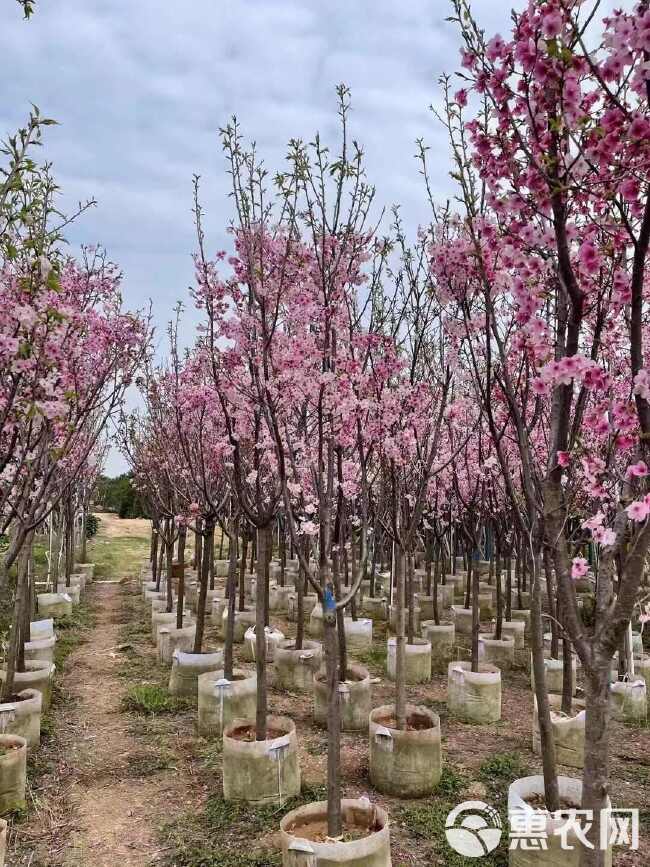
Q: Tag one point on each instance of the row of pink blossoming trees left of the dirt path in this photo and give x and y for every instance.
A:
(67, 353)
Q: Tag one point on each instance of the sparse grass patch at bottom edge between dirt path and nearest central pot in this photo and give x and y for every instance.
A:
(214, 836)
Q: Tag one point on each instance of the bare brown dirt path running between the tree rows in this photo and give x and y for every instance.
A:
(108, 793)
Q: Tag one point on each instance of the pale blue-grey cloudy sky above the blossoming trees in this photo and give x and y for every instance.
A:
(141, 87)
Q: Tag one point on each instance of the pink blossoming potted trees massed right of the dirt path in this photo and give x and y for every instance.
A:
(355, 390)
